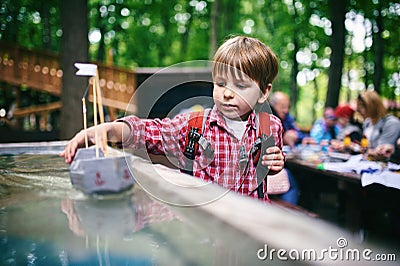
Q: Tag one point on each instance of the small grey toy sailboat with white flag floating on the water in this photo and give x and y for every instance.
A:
(94, 171)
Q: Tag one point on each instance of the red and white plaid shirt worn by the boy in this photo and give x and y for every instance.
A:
(168, 137)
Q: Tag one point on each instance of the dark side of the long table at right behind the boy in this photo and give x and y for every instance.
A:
(373, 208)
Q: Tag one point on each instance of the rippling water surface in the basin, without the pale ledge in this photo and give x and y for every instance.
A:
(44, 220)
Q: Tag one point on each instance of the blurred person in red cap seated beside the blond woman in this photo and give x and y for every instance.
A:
(348, 125)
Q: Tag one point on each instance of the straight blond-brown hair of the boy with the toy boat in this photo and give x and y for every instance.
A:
(249, 56)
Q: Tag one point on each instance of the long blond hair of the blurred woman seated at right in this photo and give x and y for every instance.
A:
(373, 105)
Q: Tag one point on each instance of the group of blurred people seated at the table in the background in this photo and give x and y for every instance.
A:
(366, 128)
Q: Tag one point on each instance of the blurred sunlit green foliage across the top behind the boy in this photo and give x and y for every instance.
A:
(155, 33)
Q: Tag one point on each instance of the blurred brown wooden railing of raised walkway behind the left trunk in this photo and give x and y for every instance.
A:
(41, 71)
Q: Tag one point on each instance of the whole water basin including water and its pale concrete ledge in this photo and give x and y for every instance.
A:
(44, 220)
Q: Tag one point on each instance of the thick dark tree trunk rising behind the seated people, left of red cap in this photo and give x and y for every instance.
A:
(338, 12)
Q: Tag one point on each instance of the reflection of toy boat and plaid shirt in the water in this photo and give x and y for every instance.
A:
(93, 216)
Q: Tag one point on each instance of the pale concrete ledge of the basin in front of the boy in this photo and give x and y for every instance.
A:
(265, 223)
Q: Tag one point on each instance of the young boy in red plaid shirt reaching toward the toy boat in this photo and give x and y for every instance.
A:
(243, 70)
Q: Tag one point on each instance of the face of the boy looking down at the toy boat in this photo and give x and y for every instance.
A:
(235, 97)
